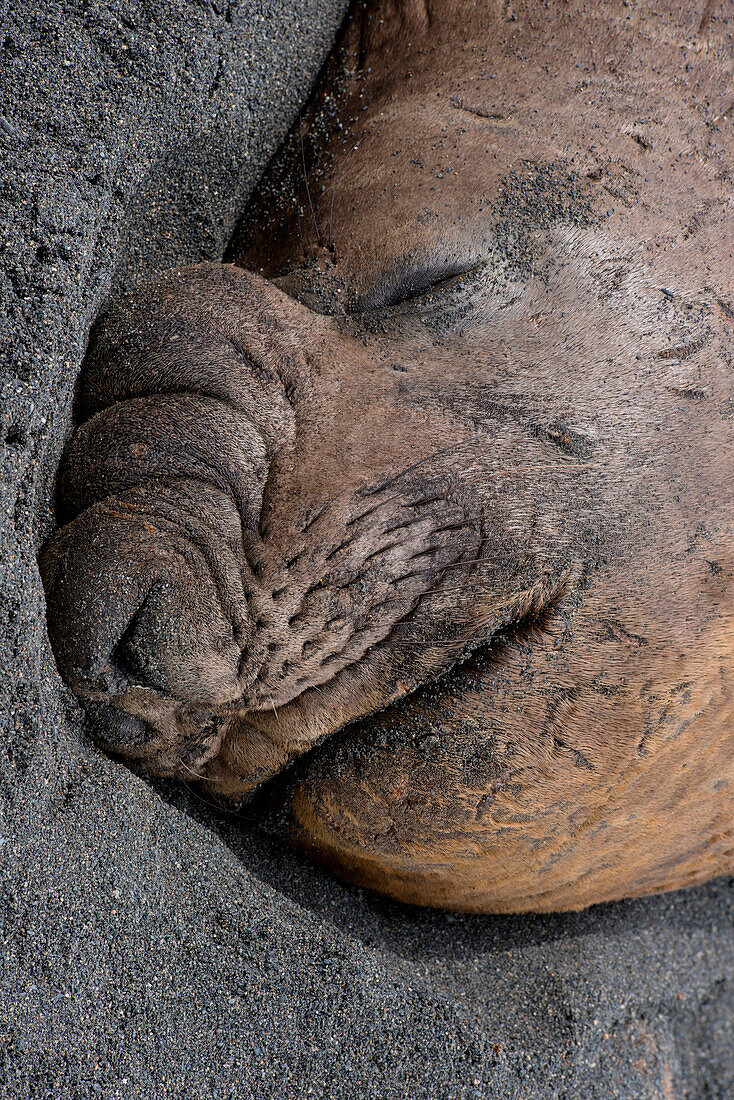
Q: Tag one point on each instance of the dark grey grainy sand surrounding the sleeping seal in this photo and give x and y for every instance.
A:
(151, 949)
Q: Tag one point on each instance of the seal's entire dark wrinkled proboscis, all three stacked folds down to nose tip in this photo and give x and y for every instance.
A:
(149, 586)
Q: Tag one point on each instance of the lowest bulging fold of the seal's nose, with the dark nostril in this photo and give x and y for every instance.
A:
(145, 593)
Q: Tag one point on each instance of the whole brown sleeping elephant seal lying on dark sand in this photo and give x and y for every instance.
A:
(417, 520)
